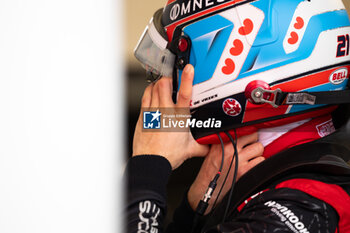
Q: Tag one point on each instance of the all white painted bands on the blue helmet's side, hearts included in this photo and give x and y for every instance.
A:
(221, 85)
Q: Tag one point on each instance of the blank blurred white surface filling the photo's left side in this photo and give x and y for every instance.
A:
(60, 110)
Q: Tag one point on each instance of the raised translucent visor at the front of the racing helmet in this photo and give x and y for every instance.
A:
(153, 54)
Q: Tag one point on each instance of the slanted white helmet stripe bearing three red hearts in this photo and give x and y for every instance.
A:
(229, 66)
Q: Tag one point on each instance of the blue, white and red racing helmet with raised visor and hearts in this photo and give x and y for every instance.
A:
(258, 64)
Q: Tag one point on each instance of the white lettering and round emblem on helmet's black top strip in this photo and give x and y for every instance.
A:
(192, 6)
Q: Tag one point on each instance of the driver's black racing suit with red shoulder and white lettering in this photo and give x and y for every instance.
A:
(279, 205)
